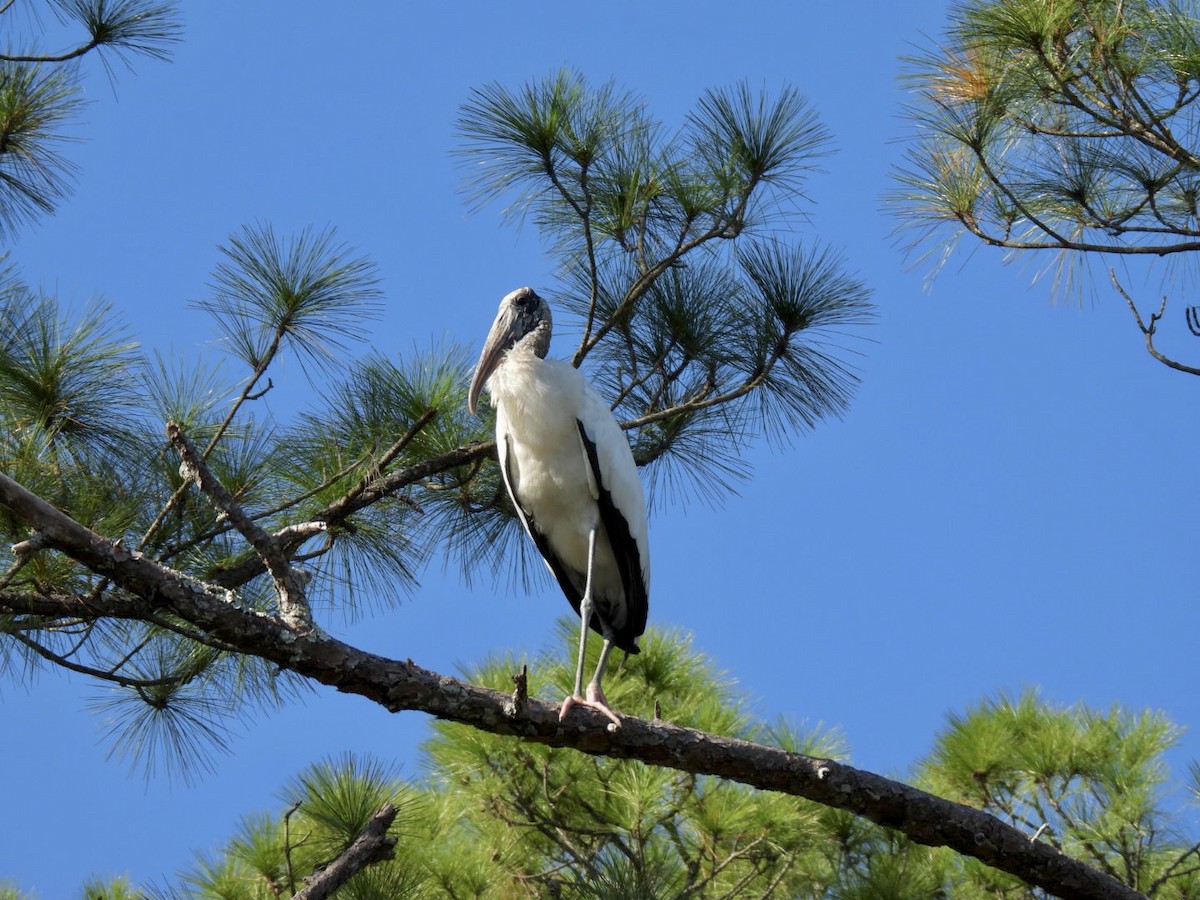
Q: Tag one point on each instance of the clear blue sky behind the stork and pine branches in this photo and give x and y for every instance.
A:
(1010, 502)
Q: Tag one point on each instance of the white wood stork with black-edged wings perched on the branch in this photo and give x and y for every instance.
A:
(571, 473)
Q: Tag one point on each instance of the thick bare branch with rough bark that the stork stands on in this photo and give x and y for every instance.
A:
(399, 686)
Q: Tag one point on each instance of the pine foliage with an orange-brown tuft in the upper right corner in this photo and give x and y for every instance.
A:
(1064, 130)
